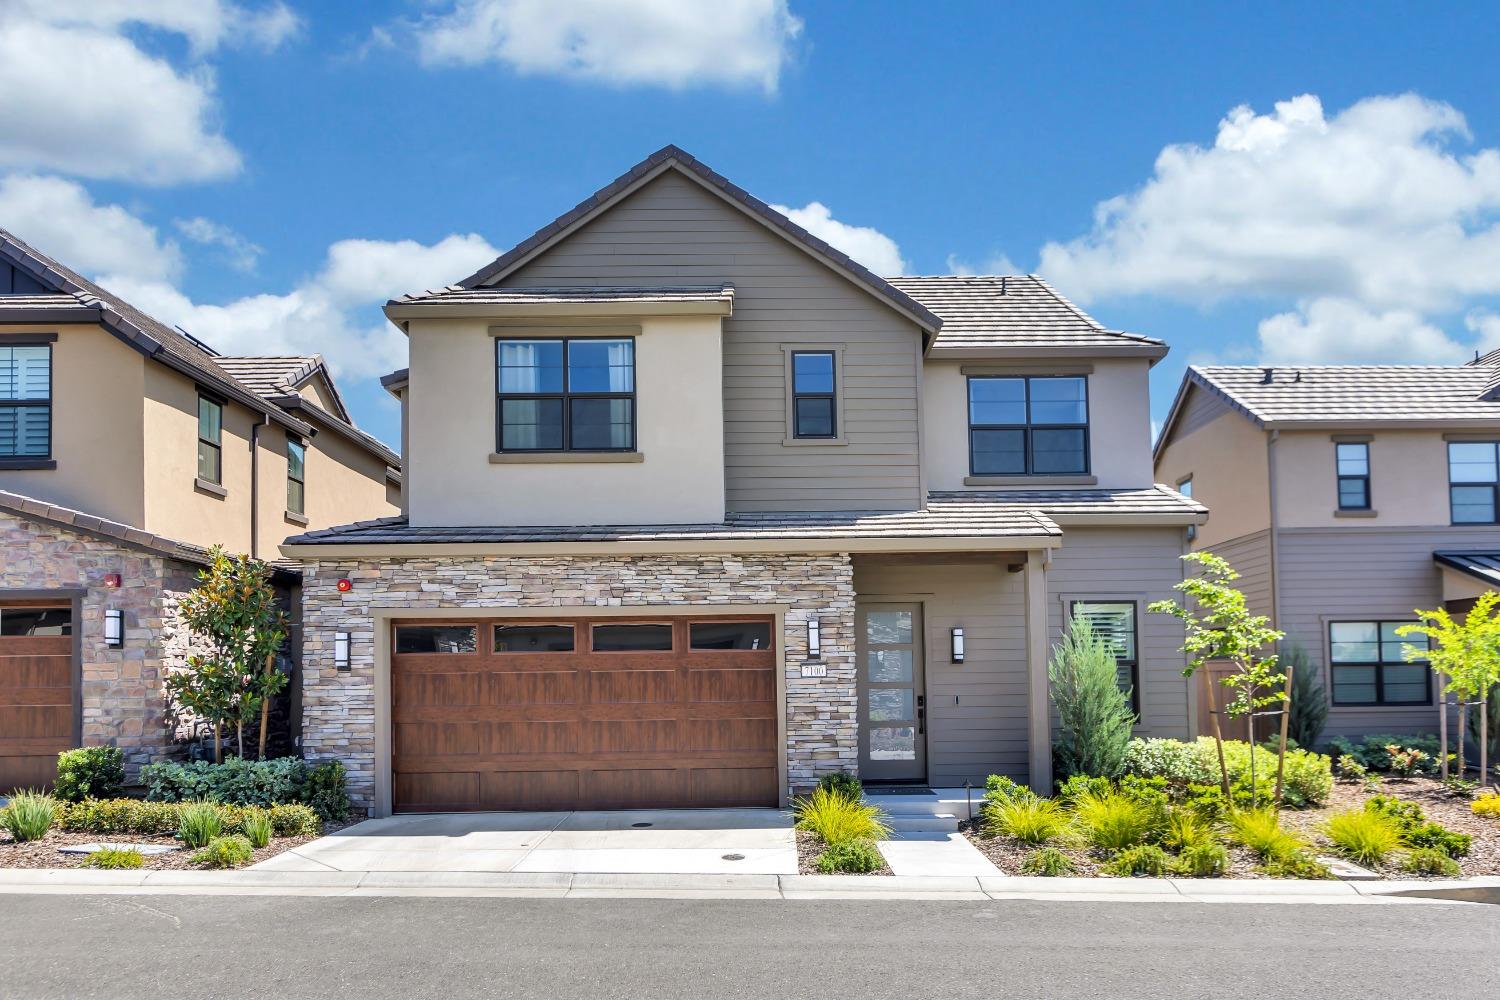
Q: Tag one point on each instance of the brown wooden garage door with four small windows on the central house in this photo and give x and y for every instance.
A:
(599, 714)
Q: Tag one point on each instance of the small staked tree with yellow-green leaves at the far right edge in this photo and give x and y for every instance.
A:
(1466, 659)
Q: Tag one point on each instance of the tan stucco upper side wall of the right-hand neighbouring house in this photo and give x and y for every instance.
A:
(1226, 457)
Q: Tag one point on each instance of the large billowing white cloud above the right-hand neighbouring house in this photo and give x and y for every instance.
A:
(1373, 221)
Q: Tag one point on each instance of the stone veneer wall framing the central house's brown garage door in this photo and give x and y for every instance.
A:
(340, 713)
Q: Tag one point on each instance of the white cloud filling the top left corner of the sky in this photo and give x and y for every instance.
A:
(80, 97)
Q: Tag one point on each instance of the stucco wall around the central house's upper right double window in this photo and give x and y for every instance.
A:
(1120, 421)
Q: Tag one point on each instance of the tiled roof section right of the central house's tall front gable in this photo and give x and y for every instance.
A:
(991, 314)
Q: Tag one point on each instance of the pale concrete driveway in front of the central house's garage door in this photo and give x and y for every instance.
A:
(644, 842)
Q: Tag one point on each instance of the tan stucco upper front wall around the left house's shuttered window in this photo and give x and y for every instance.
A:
(97, 427)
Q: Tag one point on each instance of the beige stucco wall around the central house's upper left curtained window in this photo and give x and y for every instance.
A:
(680, 478)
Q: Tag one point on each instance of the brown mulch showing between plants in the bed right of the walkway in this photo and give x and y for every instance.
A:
(1441, 806)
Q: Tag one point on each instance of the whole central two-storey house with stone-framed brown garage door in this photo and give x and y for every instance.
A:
(698, 510)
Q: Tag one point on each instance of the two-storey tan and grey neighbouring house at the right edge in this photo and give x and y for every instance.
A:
(1348, 497)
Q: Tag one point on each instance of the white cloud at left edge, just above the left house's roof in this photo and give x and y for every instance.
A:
(62, 220)
